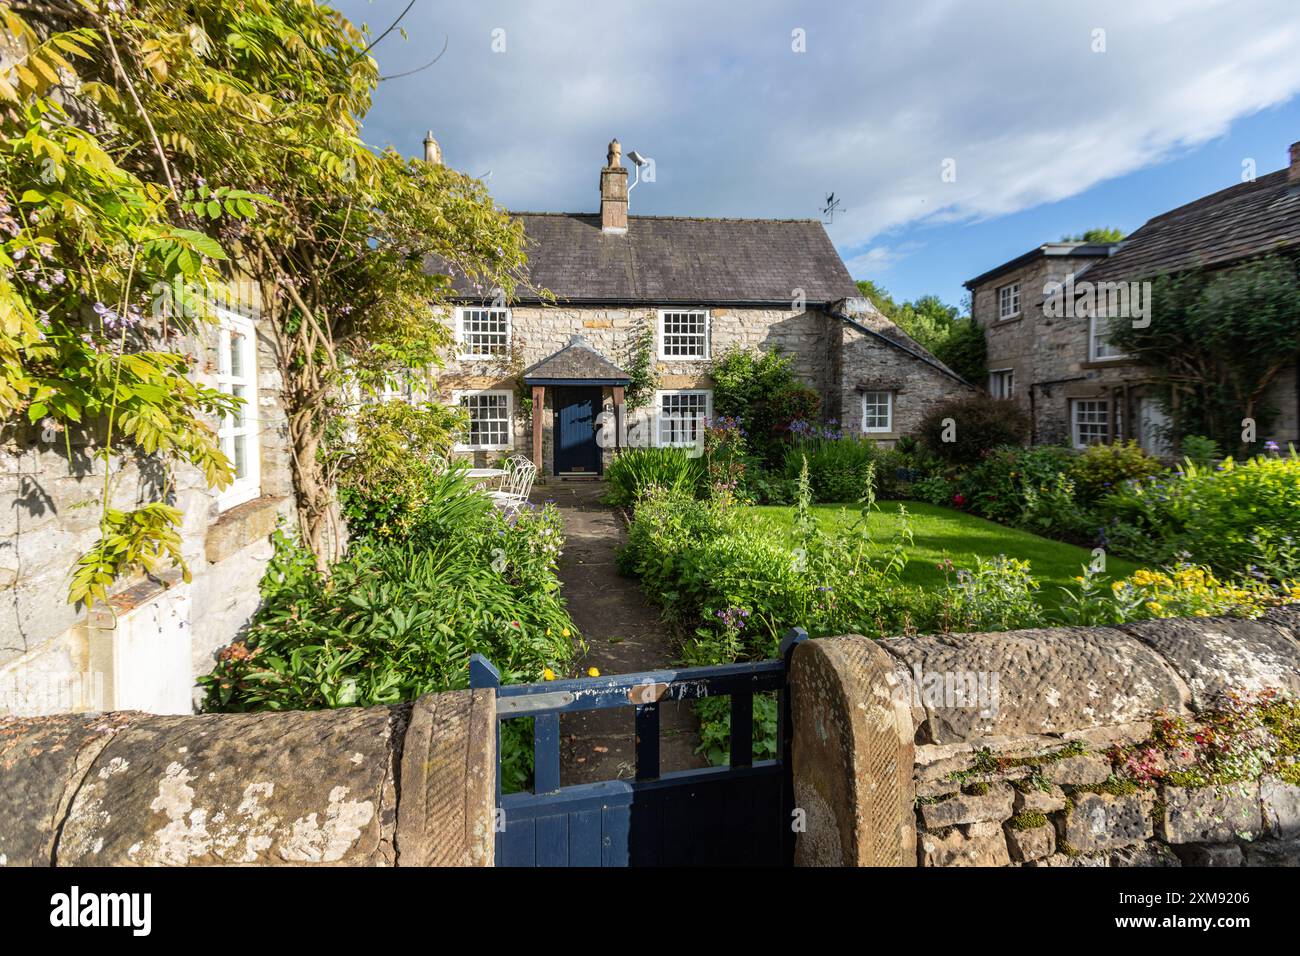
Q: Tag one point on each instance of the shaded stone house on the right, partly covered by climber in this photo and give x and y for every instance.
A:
(1059, 364)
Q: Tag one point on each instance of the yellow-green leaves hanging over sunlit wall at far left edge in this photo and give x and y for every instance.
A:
(85, 246)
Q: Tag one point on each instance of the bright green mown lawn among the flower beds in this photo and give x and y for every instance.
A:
(942, 533)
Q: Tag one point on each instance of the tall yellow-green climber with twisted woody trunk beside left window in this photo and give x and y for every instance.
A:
(267, 96)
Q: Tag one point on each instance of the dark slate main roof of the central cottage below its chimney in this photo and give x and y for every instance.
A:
(670, 261)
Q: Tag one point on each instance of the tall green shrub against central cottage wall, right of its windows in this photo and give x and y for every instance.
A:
(762, 391)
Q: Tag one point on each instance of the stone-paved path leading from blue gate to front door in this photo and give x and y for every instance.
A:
(625, 633)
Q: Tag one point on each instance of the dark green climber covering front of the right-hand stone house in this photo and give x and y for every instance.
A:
(1217, 340)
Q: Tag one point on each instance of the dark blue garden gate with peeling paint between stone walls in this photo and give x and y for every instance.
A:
(738, 815)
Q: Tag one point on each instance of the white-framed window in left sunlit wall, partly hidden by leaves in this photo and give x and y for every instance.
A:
(237, 375)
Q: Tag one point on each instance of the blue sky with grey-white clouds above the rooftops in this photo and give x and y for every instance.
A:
(1056, 118)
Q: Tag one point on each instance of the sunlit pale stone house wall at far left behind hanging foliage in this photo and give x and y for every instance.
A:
(145, 648)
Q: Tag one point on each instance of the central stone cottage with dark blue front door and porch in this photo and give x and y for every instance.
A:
(704, 287)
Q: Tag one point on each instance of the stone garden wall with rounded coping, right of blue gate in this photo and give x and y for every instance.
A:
(996, 750)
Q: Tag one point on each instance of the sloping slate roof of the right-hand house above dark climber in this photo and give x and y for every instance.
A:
(1237, 223)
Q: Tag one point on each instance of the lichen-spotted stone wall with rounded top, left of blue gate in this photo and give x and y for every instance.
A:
(405, 786)
